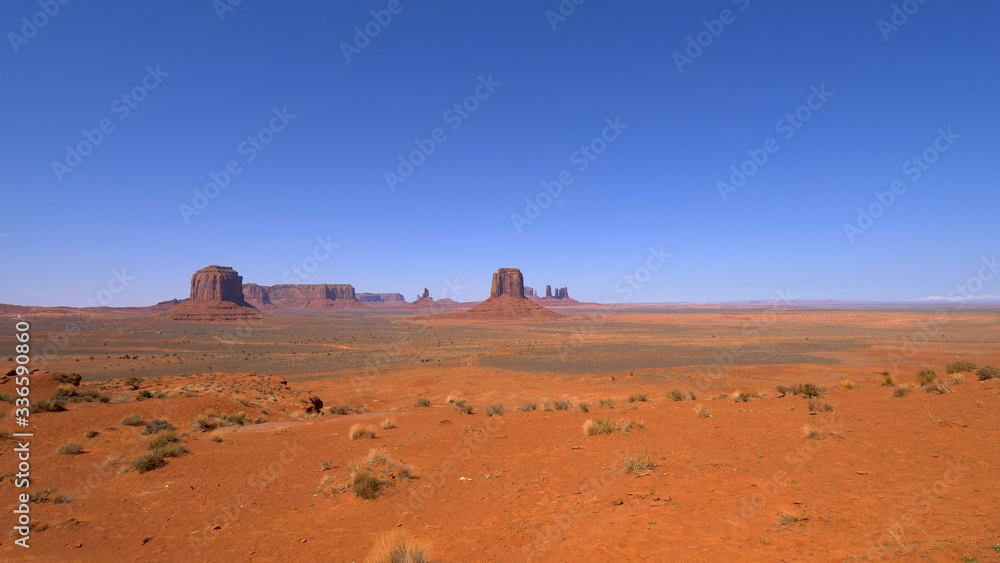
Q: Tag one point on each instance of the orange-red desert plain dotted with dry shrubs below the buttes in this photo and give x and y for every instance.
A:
(694, 454)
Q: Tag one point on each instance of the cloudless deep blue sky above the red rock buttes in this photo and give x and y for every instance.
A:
(323, 174)
